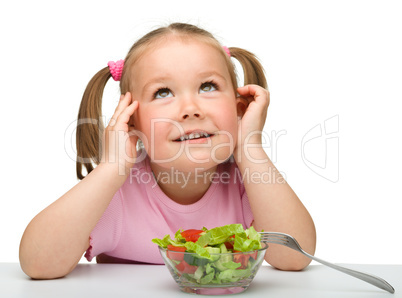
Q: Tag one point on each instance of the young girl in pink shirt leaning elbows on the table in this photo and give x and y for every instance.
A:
(201, 162)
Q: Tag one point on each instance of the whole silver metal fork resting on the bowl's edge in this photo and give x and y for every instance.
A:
(289, 241)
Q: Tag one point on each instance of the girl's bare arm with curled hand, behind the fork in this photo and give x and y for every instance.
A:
(274, 205)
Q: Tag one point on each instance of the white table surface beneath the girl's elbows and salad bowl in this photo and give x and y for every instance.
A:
(112, 280)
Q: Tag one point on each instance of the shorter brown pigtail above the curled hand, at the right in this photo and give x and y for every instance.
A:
(252, 68)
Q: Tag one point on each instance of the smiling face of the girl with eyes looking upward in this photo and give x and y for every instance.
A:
(187, 105)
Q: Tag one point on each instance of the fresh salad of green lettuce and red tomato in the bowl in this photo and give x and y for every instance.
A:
(217, 255)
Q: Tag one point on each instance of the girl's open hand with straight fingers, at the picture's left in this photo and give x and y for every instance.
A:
(120, 138)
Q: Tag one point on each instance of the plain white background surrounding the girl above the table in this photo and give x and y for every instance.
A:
(337, 60)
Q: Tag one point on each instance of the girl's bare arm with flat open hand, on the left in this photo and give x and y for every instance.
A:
(57, 237)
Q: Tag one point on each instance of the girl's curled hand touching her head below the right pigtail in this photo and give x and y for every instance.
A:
(254, 101)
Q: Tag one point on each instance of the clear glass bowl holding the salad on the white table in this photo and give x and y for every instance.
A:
(224, 273)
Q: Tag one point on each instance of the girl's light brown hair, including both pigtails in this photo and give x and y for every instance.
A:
(90, 126)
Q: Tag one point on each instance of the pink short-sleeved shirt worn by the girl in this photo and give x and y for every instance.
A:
(140, 211)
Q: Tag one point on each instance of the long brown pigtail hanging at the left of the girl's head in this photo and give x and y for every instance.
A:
(90, 125)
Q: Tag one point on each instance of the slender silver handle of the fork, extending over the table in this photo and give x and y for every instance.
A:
(372, 279)
